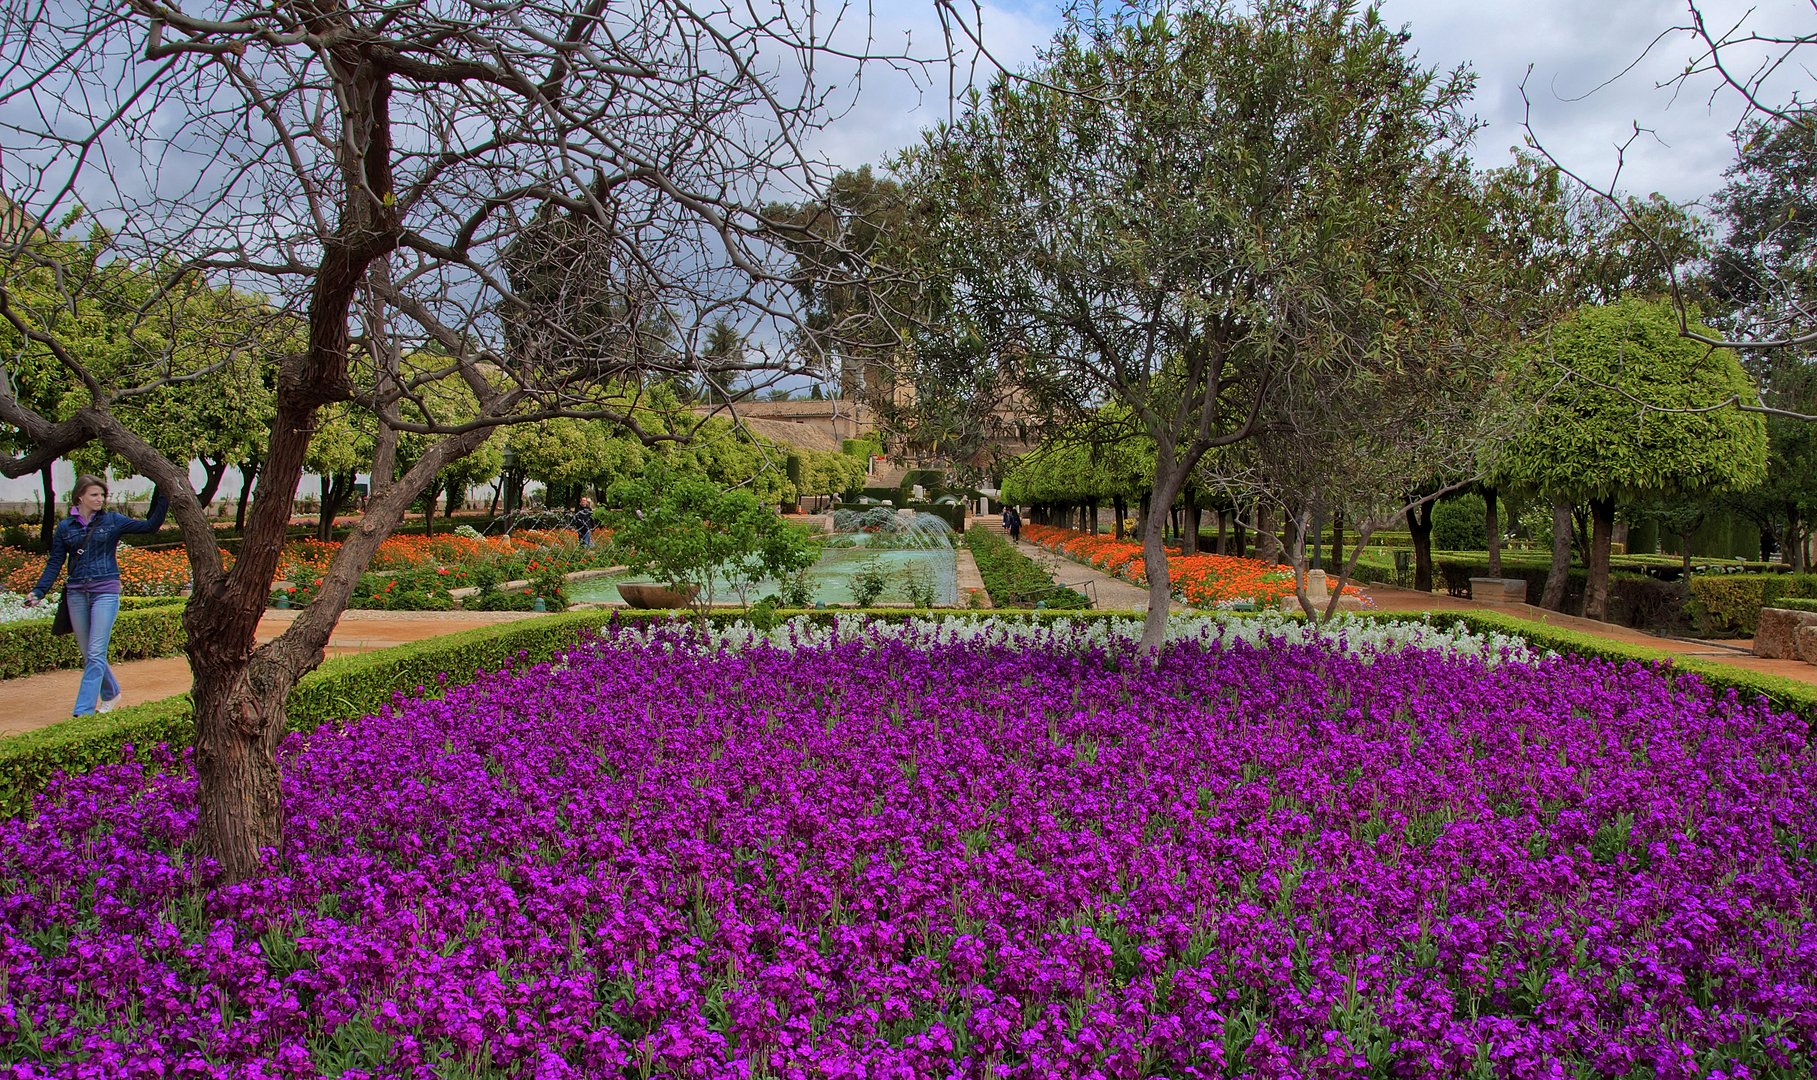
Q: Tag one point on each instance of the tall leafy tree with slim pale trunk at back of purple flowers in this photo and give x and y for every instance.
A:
(1184, 205)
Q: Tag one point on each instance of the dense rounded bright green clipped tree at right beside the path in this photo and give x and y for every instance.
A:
(1633, 415)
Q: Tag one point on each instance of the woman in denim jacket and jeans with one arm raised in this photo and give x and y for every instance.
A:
(90, 537)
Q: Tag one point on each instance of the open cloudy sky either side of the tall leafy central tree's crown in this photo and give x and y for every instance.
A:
(1584, 103)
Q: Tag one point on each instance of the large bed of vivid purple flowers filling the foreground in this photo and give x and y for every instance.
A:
(946, 859)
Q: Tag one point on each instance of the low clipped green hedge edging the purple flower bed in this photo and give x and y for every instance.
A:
(355, 686)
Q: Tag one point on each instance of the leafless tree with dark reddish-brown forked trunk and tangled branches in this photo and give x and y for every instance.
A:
(541, 206)
